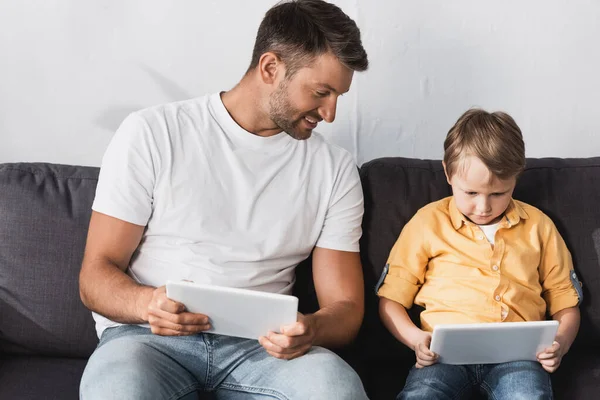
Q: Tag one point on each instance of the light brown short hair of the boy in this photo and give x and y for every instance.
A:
(494, 138)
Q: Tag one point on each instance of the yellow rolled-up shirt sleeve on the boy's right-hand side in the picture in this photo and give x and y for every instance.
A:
(560, 287)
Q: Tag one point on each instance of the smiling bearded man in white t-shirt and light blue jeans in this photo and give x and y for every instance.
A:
(232, 189)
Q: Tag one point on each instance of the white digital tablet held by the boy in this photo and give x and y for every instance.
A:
(492, 343)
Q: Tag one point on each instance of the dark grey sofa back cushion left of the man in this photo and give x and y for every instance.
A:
(44, 215)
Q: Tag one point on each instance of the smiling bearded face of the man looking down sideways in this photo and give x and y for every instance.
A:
(309, 96)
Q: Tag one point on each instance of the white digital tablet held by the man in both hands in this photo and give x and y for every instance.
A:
(236, 312)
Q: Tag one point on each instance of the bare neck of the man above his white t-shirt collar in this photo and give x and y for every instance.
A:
(244, 105)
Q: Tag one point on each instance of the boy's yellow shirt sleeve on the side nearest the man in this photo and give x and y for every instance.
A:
(404, 273)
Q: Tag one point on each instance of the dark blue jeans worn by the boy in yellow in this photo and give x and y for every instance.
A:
(513, 380)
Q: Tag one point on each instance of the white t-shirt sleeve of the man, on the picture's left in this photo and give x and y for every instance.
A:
(127, 174)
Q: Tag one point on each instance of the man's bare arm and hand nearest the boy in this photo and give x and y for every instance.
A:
(339, 285)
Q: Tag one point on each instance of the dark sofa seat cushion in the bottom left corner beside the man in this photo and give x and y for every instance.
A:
(27, 377)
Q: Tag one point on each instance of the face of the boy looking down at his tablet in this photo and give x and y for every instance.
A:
(480, 196)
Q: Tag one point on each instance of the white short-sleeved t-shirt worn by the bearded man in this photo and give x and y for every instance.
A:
(224, 206)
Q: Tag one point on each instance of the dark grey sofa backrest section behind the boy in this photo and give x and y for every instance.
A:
(567, 190)
